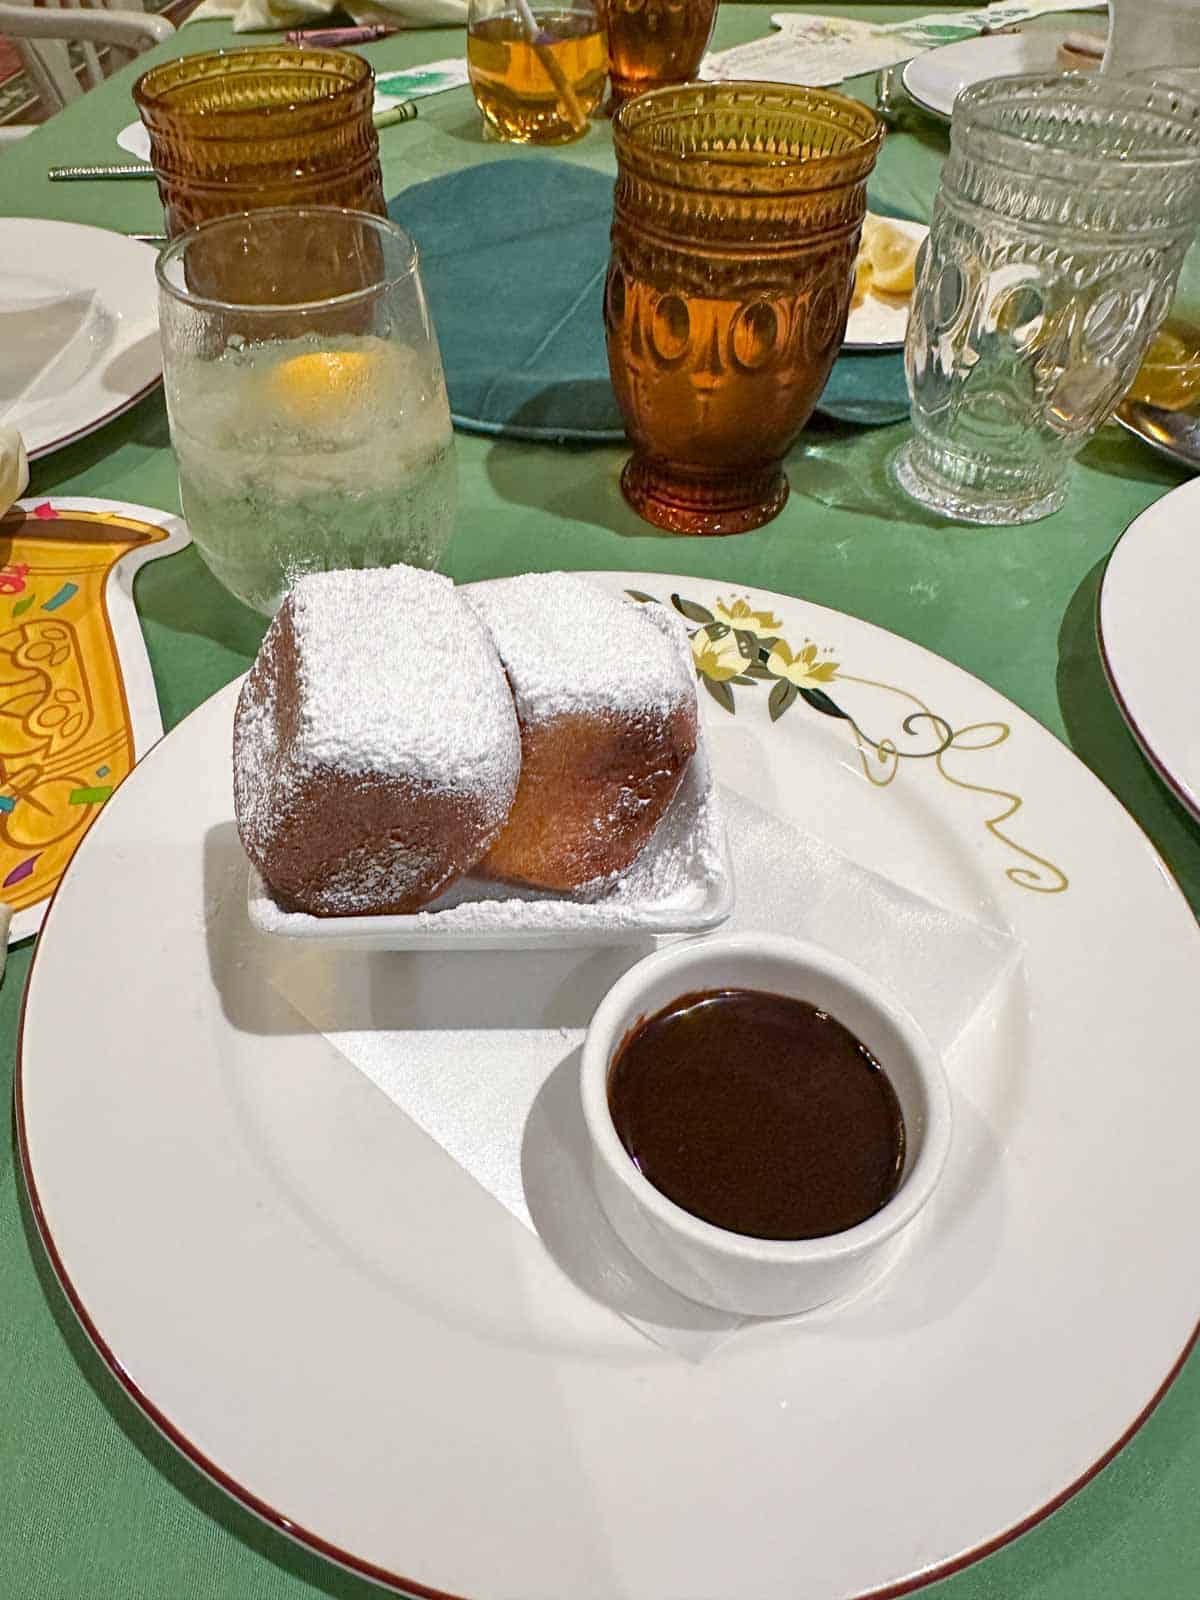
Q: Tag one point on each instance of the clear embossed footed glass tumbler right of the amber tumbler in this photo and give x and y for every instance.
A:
(1058, 231)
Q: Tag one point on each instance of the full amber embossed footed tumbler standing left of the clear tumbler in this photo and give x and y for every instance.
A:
(735, 226)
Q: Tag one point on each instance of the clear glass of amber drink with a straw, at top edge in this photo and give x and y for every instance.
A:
(537, 71)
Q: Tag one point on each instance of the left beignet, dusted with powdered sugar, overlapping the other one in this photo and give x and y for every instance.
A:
(375, 745)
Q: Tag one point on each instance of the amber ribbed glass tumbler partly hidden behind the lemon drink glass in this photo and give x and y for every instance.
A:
(241, 130)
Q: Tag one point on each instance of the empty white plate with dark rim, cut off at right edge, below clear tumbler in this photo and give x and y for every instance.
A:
(1148, 636)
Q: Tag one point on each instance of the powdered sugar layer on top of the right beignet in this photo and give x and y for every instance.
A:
(618, 660)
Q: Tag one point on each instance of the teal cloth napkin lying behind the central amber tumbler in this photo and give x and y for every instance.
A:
(514, 258)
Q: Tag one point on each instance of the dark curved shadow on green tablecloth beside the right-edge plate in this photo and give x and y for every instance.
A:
(1100, 737)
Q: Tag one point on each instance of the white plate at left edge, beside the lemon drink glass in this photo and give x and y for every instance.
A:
(79, 329)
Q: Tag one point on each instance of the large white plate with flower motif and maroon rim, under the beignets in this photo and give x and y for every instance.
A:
(327, 1316)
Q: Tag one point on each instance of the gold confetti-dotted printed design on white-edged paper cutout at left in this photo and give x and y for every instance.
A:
(66, 737)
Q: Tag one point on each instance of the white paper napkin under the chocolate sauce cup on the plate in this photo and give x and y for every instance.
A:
(482, 1052)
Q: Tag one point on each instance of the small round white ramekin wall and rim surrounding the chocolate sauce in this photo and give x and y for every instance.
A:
(764, 1278)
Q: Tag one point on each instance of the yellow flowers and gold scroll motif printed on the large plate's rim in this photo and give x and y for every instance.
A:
(738, 649)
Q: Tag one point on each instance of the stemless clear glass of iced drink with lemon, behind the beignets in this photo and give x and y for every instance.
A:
(306, 398)
